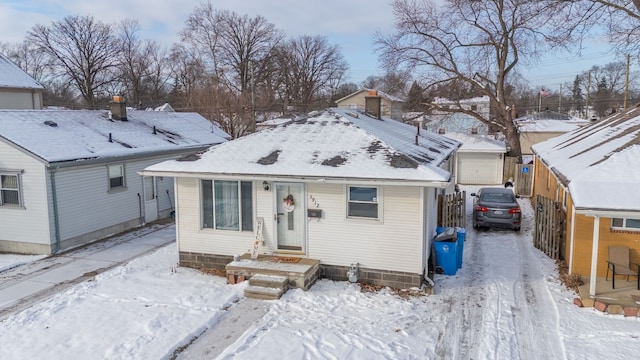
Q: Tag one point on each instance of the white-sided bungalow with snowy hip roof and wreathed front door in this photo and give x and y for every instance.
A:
(338, 186)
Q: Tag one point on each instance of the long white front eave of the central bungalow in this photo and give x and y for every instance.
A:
(297, 178)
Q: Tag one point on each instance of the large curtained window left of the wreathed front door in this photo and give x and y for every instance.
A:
(227, 205)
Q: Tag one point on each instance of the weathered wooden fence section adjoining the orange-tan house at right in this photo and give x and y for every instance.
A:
(549, 234)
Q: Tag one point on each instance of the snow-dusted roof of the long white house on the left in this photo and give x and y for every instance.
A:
(66, 135)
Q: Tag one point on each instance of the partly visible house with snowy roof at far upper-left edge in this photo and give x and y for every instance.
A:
(18, 90)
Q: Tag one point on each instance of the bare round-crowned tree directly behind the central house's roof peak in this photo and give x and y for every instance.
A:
(307, 66)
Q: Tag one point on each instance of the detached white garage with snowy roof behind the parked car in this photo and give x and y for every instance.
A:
(480, 159)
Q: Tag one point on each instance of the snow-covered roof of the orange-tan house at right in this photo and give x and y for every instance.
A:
(599, 162)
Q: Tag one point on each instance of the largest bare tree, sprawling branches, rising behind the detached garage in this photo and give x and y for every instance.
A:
(479, 43)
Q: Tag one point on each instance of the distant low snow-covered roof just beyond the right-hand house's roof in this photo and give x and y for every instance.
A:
(549, 121)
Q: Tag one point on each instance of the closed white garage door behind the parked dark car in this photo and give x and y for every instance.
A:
(479, 169)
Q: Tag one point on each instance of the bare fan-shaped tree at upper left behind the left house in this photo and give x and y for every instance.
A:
(83, 50)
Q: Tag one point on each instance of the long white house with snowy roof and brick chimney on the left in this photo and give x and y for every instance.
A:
(70, 177)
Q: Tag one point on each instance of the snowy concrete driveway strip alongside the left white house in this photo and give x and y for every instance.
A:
(30, 283)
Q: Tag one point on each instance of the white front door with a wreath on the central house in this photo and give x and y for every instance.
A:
(290, 216)
